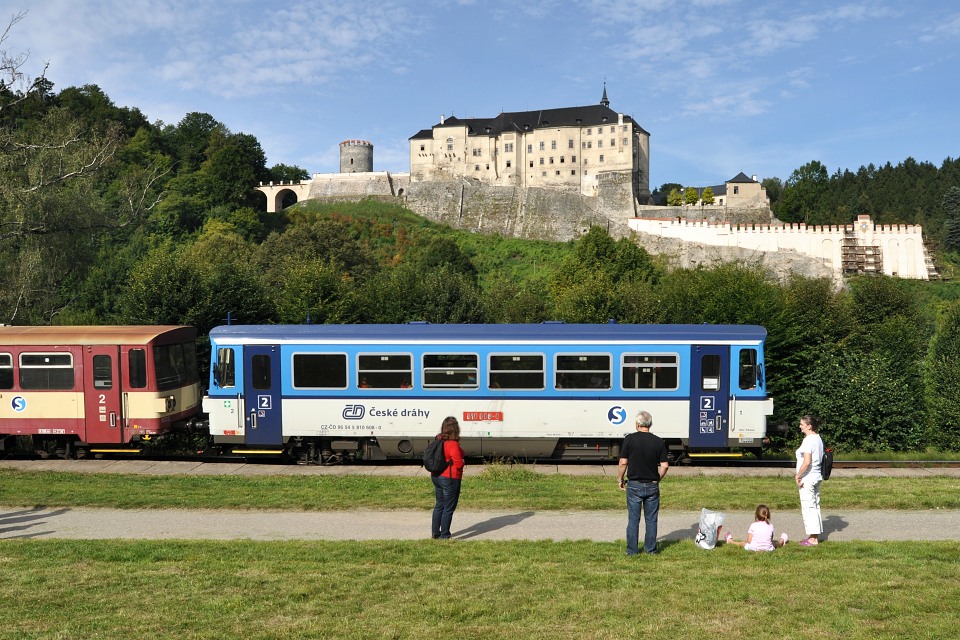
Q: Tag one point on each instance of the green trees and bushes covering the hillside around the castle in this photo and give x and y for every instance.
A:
(108, 218)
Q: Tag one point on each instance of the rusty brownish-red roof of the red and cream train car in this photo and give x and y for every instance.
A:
(91, 335)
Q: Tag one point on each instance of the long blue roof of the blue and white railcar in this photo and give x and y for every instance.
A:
(500, 333)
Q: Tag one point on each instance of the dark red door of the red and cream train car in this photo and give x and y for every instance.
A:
(102, 395)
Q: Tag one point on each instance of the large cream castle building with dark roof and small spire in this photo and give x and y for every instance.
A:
(569, 149)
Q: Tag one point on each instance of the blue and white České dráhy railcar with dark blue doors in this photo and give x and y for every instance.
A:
(539, 391)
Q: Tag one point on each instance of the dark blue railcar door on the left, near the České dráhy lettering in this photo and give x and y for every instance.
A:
(261, 388)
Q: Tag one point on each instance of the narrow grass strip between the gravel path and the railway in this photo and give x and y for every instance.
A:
(498, 487)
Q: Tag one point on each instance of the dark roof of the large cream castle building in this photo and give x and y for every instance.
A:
(525, 121)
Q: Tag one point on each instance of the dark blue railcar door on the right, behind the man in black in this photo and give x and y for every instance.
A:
(709, 390)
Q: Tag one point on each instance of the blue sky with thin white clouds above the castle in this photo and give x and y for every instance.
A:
(722, 86)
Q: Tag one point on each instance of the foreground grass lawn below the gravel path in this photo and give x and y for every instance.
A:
(429, 589)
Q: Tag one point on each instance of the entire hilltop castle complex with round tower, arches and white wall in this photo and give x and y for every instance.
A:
(551, 174)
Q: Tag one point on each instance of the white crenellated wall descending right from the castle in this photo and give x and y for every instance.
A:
(901, 246)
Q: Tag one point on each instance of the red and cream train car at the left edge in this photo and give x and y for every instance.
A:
(87, 387)
